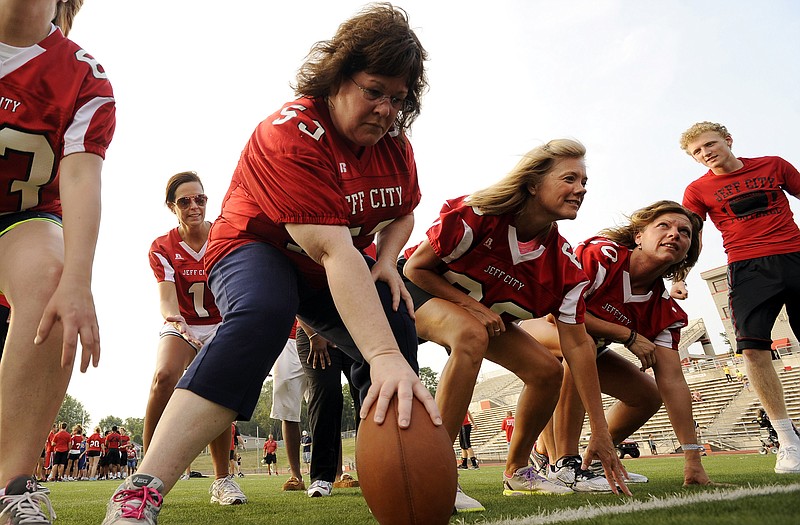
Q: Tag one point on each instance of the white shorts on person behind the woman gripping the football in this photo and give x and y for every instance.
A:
(289, 384)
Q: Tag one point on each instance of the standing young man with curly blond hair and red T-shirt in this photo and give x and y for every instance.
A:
(747, 200)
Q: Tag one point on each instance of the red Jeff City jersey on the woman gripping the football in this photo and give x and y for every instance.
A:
(297, 169)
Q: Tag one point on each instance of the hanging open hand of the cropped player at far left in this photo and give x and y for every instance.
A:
(73, 305)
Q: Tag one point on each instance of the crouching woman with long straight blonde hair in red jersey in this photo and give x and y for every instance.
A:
(490, 259)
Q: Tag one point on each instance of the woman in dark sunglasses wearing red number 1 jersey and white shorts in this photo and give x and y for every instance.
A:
(190, 315)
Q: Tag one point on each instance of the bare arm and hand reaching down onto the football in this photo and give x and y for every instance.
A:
(357, 301)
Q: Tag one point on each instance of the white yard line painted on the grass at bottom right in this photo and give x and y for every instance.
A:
(593, 511)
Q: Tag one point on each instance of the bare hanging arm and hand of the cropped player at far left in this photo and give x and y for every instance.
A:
(72, 303)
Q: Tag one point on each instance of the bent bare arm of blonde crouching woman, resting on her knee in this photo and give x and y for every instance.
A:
(421, 270)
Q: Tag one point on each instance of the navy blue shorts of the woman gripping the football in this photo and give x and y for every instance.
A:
(259, 292)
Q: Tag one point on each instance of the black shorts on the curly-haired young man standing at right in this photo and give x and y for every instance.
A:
(758, 288)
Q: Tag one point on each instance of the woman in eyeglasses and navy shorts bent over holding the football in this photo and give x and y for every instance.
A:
(316, 183)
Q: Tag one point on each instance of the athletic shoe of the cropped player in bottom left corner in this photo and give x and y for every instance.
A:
(25, 502)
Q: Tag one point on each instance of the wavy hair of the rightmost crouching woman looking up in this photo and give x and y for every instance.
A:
(625, 235)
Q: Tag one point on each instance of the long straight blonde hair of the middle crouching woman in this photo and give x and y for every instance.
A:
(509, 194)
